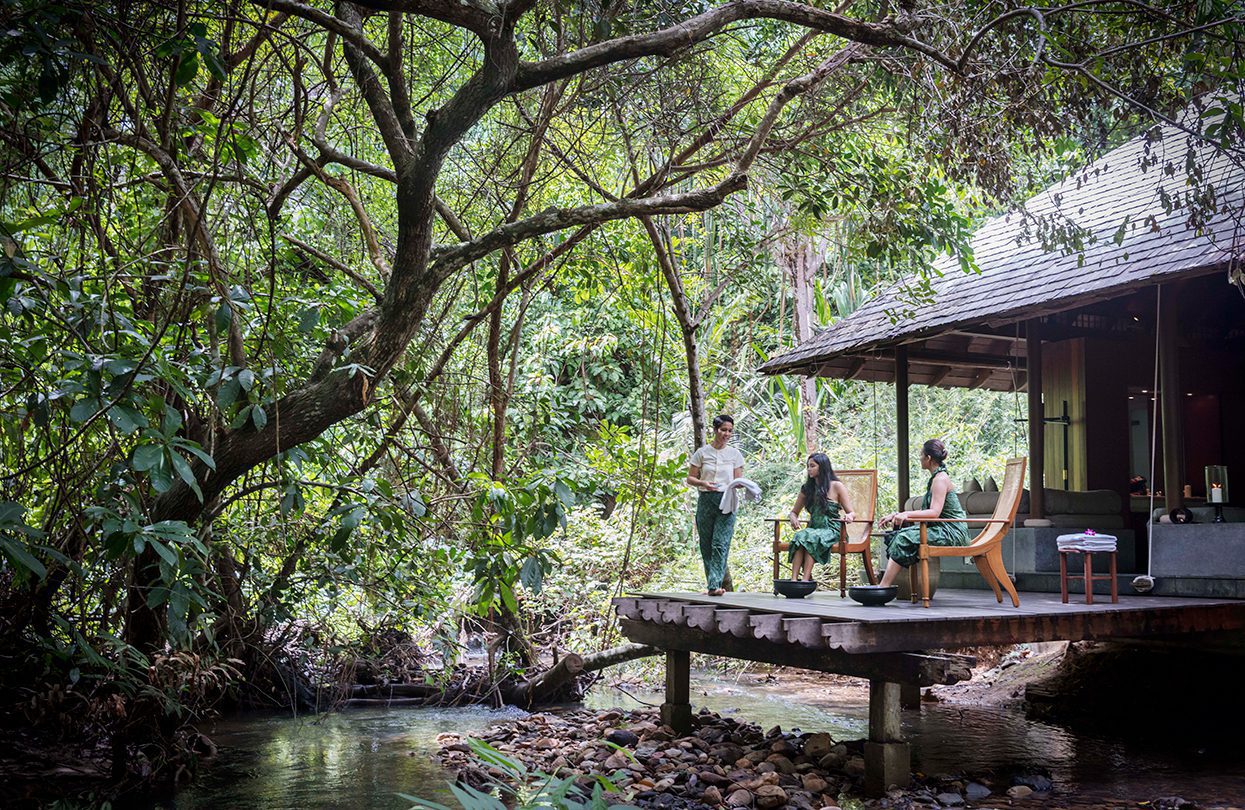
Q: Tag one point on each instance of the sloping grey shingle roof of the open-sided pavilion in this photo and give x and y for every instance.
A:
(1020, 279)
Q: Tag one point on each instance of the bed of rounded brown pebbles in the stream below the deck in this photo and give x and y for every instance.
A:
(725, 763)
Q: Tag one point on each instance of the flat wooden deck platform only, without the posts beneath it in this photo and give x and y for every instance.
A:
(956, 619)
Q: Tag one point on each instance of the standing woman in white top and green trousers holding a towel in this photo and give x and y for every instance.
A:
(713, 467)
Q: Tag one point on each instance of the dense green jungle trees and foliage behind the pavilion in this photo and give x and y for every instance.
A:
(357, 343)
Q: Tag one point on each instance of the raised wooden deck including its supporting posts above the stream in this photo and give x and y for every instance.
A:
(887, 645)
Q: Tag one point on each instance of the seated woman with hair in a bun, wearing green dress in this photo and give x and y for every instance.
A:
(941, 502)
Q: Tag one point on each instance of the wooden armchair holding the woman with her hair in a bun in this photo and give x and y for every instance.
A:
(987, 548)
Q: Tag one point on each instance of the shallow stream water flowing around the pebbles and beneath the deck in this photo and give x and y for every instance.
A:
(365, 758)
